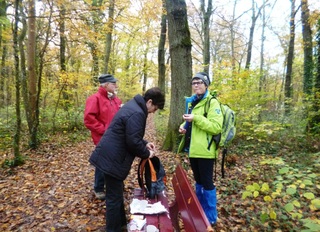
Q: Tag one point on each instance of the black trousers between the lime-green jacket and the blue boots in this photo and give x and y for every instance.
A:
(203, 172)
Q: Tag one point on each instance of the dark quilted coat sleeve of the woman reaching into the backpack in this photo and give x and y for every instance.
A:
(135, 129)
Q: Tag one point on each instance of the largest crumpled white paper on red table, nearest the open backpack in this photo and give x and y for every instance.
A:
(142, 207)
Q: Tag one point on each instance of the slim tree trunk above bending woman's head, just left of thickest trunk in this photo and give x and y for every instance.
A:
(162, 51)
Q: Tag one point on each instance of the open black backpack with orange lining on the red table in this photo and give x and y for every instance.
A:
(151, 176)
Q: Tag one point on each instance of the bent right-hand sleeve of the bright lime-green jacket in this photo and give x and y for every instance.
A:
(212, 124)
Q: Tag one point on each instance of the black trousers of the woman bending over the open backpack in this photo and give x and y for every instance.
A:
(115, 212)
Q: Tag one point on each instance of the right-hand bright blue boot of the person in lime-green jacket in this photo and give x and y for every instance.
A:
(210, 205)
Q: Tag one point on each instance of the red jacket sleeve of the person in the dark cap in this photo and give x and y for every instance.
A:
(91, 114)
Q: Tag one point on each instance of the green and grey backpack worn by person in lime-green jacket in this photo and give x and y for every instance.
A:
(228, 133)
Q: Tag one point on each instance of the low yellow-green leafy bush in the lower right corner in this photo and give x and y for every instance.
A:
(291, 193)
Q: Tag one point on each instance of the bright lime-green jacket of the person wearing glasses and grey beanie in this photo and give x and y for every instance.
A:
(203, 128)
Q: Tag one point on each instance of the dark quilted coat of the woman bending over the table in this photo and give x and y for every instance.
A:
(123, 140)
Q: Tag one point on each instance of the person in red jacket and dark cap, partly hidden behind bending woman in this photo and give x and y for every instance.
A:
(99, 111)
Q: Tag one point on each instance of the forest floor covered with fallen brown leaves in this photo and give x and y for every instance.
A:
(53, 191)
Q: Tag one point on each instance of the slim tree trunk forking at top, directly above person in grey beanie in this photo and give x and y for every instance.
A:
(206, 33)
